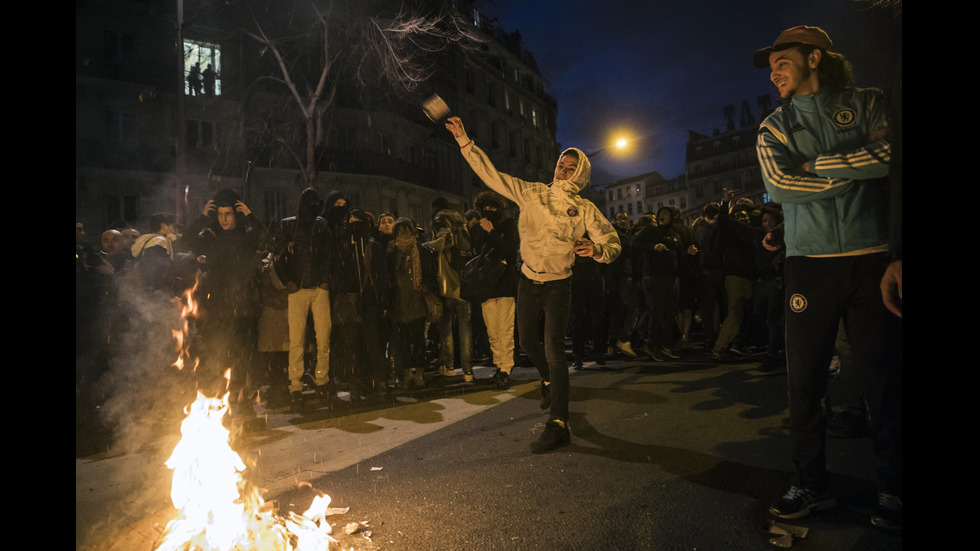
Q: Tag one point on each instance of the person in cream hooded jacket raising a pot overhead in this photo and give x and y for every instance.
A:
(553, 224)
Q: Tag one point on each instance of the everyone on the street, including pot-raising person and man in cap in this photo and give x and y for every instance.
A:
(337, 299)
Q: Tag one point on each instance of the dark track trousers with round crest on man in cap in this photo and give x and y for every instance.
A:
(821, 292)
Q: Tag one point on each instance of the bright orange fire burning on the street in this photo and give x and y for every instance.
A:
(217, 508)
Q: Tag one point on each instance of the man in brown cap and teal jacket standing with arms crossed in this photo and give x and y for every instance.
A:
(825, 156)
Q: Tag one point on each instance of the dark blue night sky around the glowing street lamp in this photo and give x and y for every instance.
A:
(661, 68)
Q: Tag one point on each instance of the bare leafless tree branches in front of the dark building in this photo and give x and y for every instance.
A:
(397, 53)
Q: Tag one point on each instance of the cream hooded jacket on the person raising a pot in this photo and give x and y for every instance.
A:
(552, 216)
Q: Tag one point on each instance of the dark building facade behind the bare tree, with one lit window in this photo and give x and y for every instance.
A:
(148, 140)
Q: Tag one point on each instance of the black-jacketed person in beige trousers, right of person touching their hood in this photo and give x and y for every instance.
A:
(302, 252)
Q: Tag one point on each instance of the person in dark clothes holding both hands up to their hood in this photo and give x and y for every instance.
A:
(228, 241)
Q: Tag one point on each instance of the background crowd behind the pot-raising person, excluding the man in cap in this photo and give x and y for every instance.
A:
(337, 299)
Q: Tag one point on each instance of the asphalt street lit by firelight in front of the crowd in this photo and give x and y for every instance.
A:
(685, 454)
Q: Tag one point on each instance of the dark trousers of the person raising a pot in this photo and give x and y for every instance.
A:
(553, 301)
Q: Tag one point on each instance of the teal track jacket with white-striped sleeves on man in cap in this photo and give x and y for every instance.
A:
(840, 205)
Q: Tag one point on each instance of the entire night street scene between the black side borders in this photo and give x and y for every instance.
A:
(488, 274)
